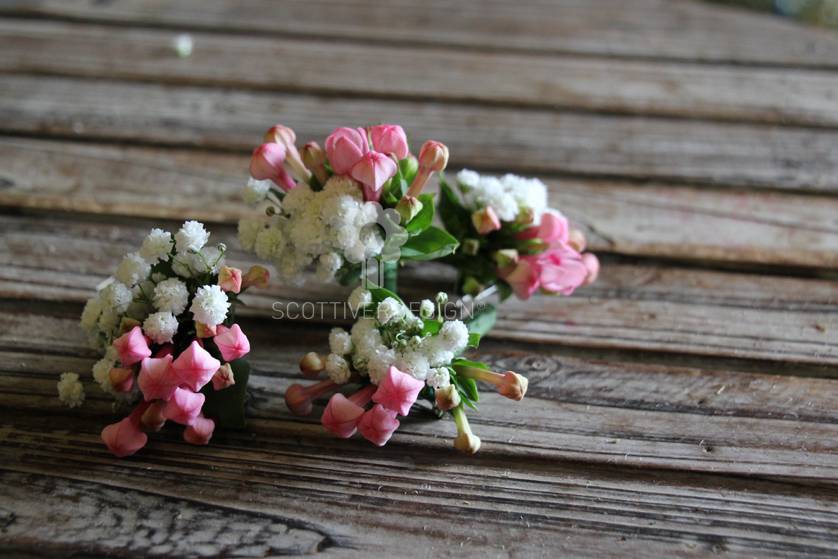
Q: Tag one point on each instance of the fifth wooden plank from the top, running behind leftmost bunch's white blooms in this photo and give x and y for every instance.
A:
(657, 308)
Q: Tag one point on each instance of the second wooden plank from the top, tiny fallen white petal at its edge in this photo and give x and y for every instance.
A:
(577, 83)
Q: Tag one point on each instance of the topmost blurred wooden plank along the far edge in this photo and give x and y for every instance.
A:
(659, 29)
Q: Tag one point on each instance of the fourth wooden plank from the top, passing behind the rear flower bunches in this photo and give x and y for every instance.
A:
(655, 220)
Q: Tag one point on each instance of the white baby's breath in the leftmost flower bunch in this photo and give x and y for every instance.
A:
(150, 287)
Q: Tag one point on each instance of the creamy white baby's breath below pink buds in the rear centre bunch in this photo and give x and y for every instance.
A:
(321, 229)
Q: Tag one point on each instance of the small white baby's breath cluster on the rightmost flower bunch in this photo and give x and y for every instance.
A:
(507, 195)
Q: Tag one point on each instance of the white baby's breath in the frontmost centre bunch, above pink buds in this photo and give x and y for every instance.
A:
(393, 337)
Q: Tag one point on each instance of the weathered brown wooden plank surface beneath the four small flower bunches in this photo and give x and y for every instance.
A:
(682, 406)
